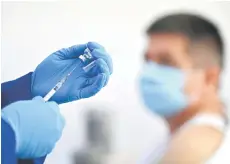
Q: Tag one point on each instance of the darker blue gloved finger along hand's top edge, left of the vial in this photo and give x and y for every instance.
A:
(71, 52)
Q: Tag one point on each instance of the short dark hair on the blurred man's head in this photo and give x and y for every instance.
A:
(194, 27)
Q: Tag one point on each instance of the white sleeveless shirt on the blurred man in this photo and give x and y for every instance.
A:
(222, 154)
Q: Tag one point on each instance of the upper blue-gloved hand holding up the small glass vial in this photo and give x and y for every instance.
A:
(80, 84)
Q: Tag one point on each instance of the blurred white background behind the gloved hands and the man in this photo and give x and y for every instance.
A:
(113, 127)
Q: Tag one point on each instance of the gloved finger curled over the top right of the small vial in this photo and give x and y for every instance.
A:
(101, 54)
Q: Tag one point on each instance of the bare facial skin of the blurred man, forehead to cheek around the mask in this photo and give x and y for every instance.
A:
(173, 50)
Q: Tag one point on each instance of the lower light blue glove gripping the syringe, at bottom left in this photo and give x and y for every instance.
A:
(37, 126)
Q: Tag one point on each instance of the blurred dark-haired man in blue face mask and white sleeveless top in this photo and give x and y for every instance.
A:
(180, 82)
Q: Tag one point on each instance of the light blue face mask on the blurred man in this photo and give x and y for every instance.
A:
(162, 89)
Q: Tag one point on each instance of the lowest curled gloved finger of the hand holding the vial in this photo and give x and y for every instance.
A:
(91, 90)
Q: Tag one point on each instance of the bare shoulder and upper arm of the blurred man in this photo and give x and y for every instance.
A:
(193, 145)
